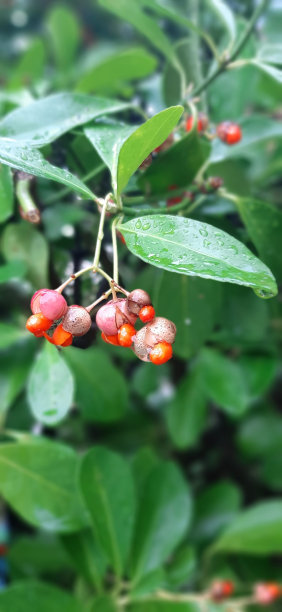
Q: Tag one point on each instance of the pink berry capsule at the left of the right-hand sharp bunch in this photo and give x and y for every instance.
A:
(113, 315)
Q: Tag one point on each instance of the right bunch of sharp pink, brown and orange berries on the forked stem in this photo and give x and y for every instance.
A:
(117, 318)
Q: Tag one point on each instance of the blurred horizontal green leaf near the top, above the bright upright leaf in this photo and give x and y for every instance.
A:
(107, 75)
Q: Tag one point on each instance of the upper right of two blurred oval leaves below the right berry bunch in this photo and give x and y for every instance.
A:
(224, 382)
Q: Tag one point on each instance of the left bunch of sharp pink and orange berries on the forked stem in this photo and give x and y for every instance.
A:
(52, 314)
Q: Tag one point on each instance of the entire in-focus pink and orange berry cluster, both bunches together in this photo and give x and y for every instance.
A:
(59, 323)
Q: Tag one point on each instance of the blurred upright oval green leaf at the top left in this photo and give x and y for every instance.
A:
(64, 33)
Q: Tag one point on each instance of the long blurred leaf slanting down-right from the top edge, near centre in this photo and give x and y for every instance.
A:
(133, 13)
